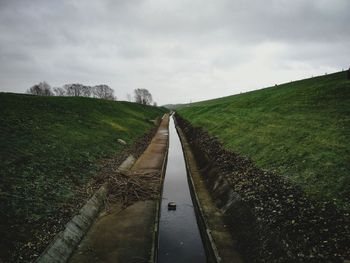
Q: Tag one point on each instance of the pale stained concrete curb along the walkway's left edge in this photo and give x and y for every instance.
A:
(66, 241)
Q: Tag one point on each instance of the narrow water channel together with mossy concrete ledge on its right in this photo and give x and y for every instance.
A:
(191, 227)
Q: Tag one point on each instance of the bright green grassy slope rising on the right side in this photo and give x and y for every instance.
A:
(300, 130)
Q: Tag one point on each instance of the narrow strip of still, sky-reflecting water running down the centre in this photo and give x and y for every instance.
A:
(179, 237)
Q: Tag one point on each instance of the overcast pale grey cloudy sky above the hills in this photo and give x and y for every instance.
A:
(180, 50)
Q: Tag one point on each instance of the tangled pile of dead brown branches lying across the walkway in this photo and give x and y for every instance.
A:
(129, 187)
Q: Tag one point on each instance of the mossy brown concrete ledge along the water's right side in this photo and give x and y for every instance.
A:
(220, 244)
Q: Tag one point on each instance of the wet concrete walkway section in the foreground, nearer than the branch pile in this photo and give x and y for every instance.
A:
(123, 235)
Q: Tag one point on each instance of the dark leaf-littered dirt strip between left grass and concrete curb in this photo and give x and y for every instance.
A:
(33, 237)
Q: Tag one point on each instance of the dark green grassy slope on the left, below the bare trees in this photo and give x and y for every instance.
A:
(49, 147)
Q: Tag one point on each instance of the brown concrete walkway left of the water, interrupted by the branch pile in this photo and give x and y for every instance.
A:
(128, 235)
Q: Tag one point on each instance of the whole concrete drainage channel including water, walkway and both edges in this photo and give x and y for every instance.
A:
(189, 230)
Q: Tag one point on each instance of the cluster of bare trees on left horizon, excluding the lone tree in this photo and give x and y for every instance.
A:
(79, 90)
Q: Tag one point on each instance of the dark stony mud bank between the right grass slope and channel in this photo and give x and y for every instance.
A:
(271, 218)
